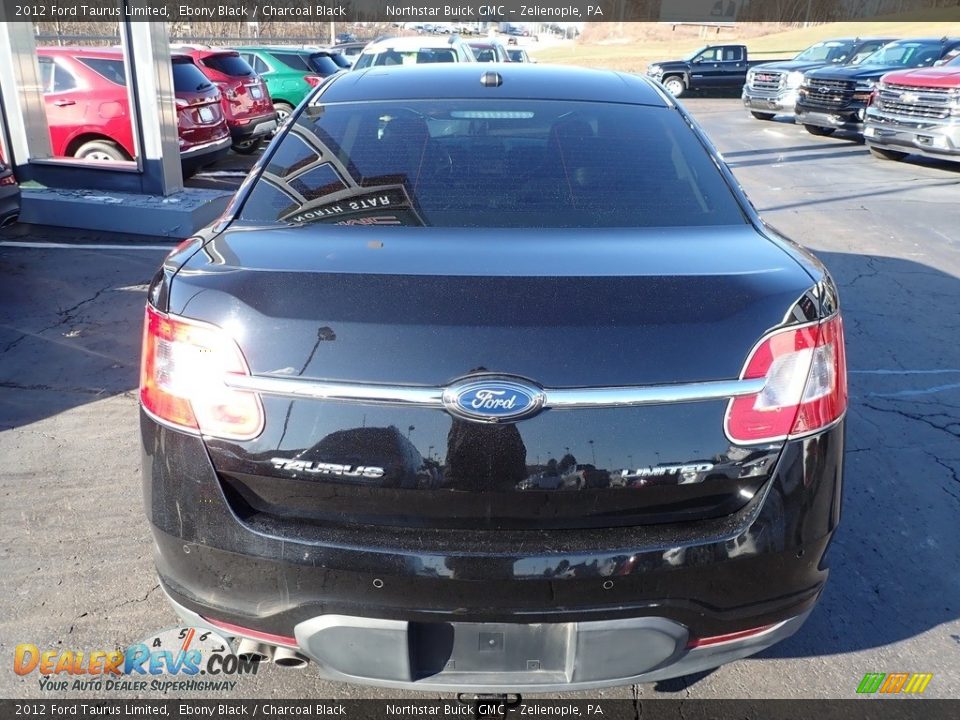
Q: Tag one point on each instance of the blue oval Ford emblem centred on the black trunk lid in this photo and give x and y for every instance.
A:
(493, 399)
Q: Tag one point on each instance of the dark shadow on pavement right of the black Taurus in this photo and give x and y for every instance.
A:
(895, 561)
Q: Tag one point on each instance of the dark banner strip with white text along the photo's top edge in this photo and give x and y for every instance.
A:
(497, 11)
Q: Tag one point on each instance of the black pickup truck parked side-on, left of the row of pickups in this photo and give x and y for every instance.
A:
(712, 66)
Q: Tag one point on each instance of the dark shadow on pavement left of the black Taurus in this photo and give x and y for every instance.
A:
(70, 319)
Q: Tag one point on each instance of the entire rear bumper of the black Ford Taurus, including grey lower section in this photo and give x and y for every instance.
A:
(661, 585)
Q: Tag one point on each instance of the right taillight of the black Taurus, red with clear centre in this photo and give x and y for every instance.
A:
(805, 389)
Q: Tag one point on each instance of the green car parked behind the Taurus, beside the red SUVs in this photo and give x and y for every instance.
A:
(291, 73)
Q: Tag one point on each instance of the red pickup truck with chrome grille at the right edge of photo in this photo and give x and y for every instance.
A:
(916, 111)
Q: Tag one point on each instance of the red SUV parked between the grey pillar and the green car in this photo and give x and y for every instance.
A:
(246, 102)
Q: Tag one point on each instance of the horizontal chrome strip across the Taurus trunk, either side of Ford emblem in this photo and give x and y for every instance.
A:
(558, 399)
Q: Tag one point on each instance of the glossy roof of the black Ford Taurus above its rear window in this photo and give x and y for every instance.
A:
(520, 81)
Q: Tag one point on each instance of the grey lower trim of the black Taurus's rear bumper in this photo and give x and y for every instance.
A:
(572, 656)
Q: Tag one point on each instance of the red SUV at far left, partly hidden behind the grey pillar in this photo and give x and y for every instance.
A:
(88, 110)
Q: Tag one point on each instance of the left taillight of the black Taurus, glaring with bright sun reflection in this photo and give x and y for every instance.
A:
(182, 374)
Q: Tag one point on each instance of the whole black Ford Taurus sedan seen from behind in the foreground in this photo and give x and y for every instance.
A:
(492, 380)
